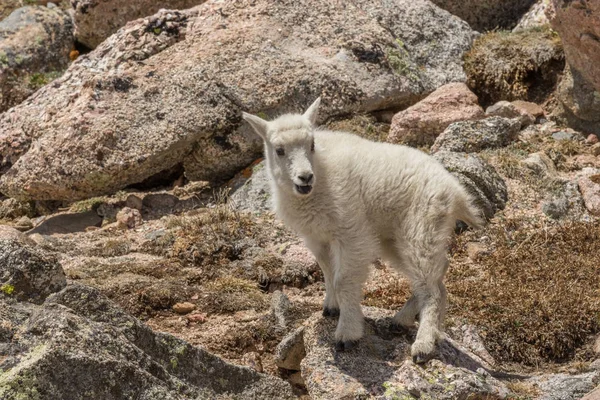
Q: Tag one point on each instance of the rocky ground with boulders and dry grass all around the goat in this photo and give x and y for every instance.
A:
(138, 254)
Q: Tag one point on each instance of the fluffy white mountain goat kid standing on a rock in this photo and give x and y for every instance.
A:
(352, 201)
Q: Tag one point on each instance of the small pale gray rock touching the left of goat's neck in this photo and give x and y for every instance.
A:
(253, 193)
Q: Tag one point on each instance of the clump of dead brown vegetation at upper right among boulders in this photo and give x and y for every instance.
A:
(510, 66)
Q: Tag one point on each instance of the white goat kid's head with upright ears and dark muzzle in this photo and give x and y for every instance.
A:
(289, 148)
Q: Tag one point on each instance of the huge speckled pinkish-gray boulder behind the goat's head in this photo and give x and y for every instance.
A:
(171, 88)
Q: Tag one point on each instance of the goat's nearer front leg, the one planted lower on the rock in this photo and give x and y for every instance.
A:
(350, 273)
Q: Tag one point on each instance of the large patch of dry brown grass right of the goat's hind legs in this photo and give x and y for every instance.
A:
(535, 297)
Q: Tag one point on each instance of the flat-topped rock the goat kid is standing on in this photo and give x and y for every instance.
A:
(381, 368)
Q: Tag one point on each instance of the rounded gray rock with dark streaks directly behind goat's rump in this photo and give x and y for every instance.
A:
(480, 179)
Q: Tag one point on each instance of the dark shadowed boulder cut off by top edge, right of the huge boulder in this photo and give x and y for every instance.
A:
(487, 14)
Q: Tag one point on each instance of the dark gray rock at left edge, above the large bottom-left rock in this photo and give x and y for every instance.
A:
(26, 272)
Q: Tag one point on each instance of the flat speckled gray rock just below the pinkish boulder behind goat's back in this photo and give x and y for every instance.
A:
(474, 136)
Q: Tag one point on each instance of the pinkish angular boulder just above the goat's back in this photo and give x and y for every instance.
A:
(421, 123)
